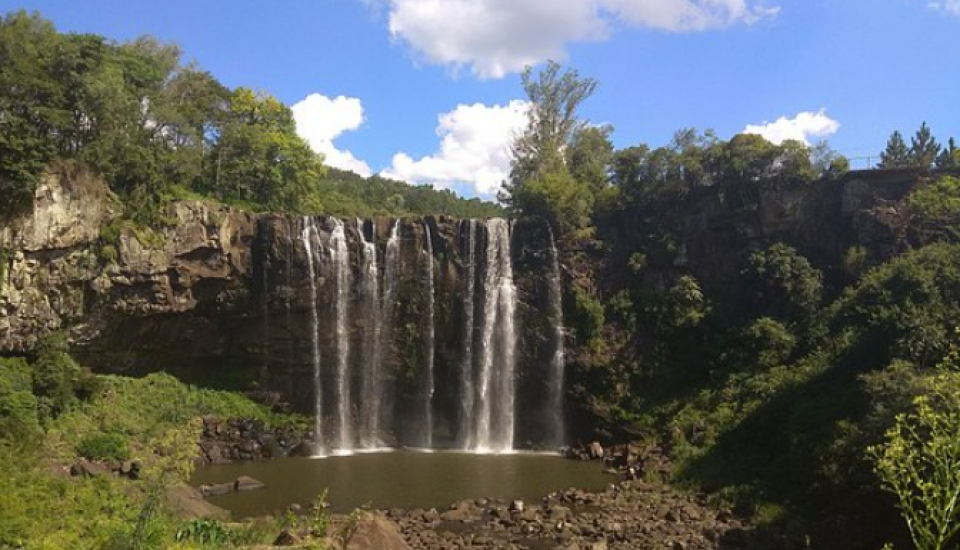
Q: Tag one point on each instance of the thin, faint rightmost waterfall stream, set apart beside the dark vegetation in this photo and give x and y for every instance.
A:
(555, 379)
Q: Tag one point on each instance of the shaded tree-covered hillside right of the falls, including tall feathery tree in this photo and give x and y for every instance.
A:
(698, 318)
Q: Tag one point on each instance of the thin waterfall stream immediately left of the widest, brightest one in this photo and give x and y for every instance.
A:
(465, 433)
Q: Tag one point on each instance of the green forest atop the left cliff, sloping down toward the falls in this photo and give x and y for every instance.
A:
(156, 128)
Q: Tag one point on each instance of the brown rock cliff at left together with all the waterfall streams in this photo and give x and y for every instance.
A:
(363, 322)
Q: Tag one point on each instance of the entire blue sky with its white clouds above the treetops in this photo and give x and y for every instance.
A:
(428, 90)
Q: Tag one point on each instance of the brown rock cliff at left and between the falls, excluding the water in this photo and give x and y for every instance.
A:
(224, 297)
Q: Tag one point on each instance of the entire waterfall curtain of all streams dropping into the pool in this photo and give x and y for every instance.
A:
(379, 295)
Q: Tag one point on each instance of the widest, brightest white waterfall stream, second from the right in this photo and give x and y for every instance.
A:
(496, 391)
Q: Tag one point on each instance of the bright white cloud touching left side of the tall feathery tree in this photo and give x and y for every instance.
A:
(474, 148)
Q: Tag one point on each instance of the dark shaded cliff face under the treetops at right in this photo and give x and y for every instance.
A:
(711, 234)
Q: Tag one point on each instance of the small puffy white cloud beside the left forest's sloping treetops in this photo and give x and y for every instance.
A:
(320, 120)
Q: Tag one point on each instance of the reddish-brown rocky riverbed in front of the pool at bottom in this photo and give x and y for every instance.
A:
(630, 515)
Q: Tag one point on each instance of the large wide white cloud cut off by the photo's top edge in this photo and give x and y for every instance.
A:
(496, 37)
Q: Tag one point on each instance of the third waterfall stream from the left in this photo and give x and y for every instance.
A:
(370, 380)
